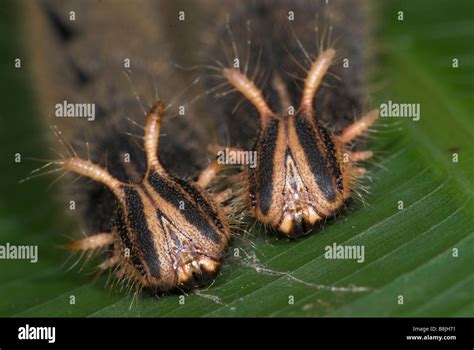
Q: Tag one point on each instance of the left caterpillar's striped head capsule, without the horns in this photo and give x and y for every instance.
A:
(172, 231)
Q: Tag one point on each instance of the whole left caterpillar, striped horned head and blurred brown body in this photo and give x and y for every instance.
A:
(159, 229)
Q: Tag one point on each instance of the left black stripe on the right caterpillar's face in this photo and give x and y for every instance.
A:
(266, 152)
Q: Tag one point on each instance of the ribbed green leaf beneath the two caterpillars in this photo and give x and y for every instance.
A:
(408, 253)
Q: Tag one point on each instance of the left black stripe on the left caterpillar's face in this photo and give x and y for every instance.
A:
(137, 221)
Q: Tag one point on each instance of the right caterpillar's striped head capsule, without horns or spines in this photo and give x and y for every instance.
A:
(300, 177)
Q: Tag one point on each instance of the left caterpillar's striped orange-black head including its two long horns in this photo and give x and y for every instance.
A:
(169, 232)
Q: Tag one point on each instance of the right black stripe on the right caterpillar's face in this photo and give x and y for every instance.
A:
(318, 164)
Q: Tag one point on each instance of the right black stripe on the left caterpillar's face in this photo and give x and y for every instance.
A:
(180, 202)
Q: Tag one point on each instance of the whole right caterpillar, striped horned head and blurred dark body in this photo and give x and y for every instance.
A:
(297, 69)
